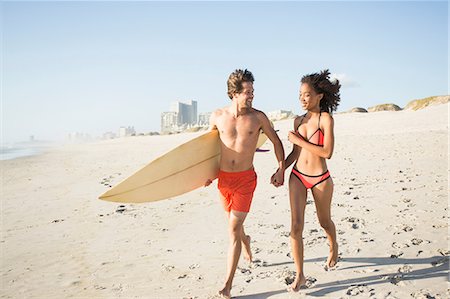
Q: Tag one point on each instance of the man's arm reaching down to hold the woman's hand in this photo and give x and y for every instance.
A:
(278, 177)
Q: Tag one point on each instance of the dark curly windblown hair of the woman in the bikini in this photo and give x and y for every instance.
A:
(321, 83)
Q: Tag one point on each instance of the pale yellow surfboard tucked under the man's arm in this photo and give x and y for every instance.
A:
(183, 169)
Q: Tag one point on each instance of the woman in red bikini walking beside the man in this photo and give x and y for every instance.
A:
(313, 141)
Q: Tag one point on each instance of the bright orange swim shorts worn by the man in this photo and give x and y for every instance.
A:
(236, 189)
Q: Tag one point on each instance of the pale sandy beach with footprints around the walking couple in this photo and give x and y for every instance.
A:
(390, 207)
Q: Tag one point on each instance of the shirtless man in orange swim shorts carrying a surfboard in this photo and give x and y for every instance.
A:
(239, 127)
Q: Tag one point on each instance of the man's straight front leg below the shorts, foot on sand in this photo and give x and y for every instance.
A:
(235, 223)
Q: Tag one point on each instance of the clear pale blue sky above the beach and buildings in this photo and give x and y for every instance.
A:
(95, 66)
